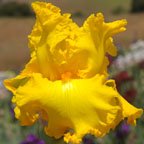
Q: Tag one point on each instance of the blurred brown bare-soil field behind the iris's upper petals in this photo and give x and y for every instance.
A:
(14, 51)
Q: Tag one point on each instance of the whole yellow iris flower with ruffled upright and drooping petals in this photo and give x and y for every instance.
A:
(65, 83)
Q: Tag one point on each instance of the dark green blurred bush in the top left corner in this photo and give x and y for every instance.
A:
(15, 9)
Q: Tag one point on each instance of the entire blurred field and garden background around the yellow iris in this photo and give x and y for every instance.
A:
(16, 22)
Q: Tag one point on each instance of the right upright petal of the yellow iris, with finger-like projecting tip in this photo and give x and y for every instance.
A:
(101, 35)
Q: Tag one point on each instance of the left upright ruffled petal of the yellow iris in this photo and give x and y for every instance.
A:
(51, 39)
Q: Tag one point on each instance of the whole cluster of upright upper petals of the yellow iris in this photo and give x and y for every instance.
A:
(61, 46)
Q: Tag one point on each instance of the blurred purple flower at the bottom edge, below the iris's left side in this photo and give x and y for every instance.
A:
(32, 139)
